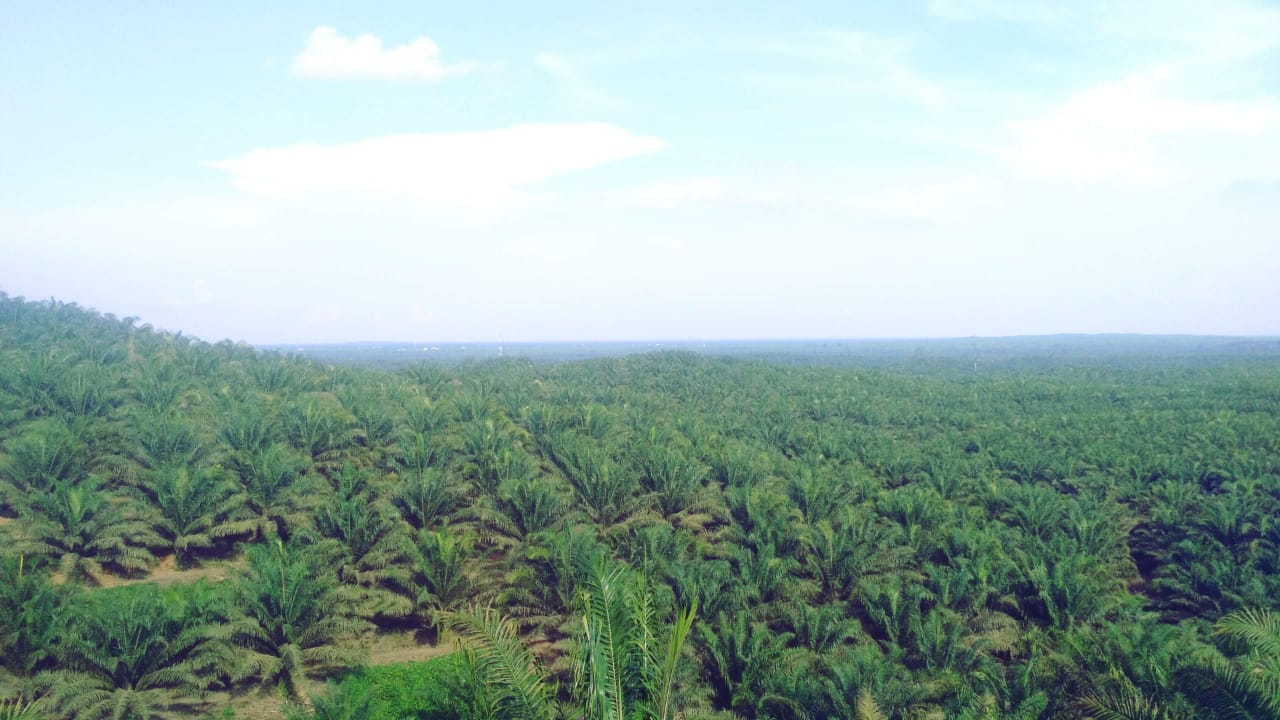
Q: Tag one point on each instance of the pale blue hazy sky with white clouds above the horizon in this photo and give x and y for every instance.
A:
(454, 172)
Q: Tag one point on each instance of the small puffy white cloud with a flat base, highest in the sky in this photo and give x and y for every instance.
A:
(331, 56)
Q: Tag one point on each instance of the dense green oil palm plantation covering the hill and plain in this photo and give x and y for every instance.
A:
(637, 537)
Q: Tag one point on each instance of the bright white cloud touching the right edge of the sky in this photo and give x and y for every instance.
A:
(1139, 130)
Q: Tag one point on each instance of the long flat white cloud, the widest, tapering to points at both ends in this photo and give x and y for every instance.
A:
(468, 170)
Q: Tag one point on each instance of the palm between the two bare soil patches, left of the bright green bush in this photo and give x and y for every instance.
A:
(296, 617)
